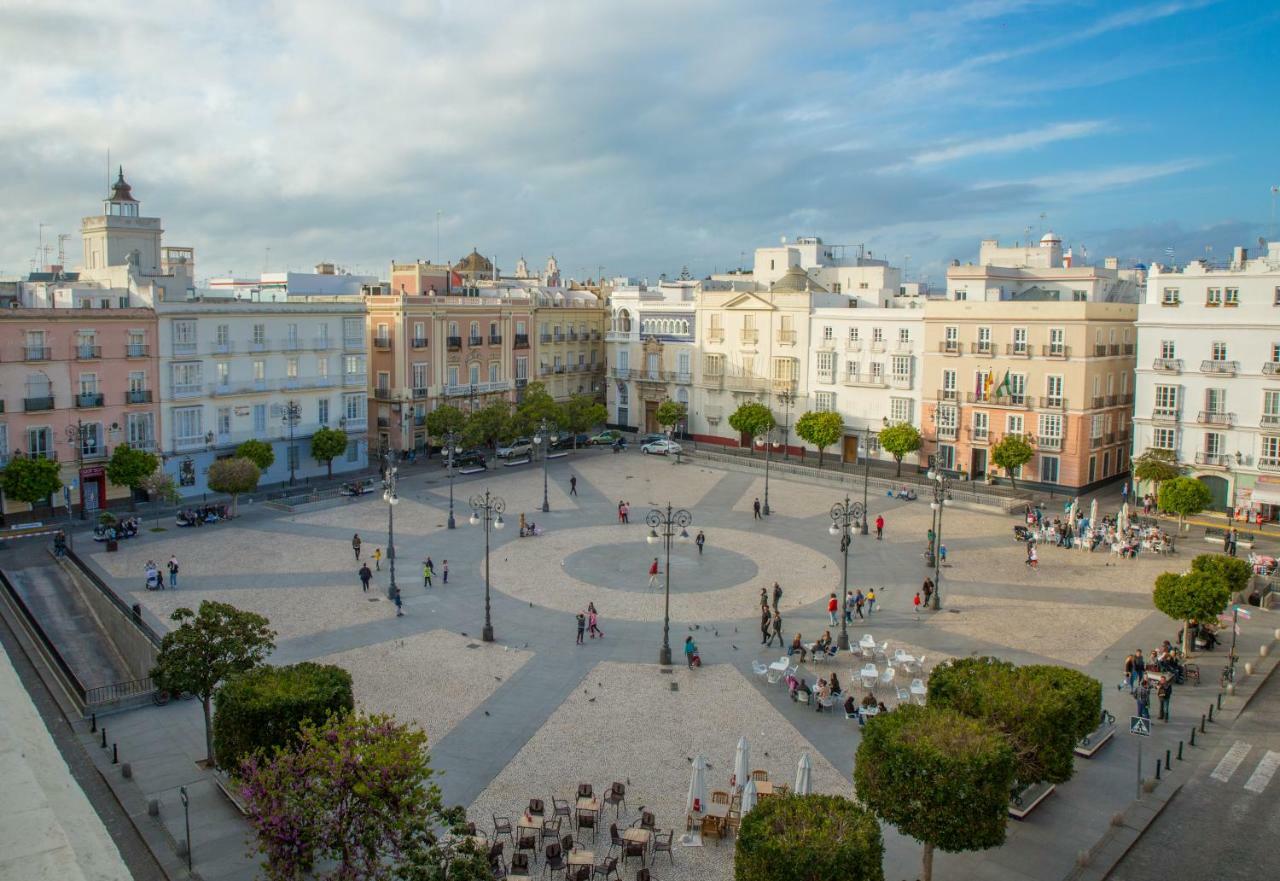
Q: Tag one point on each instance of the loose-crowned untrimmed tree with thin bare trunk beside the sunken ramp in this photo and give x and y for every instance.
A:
(207, 649)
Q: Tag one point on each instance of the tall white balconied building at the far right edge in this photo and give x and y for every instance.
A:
(1209, 376)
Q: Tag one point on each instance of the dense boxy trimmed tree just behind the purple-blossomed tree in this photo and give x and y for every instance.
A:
(264, 709)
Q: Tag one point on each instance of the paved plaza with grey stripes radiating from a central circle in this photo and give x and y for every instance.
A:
(534, 714)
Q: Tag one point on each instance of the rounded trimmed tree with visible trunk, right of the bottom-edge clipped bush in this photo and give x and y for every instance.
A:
(938, 777)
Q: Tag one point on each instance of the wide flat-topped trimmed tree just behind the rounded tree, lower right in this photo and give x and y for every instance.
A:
(1043, 710)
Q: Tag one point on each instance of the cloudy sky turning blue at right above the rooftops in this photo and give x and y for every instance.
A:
(641, 138)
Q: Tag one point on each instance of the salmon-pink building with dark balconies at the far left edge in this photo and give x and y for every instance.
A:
(75, 384)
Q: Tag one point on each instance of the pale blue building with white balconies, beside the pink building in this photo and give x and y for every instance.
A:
(237, 369)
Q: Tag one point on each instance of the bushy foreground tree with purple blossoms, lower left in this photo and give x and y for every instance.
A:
(353, 802)
